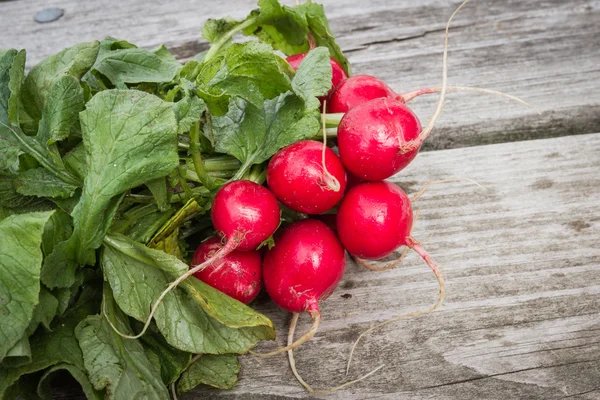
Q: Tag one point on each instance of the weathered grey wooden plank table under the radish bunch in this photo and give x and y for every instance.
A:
(521, 258)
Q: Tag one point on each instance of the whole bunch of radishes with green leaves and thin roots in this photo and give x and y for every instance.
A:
(134, 211)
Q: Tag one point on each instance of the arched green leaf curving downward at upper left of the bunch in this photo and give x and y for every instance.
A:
(74, 61)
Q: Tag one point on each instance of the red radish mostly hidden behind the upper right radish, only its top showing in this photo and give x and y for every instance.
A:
(356, 90)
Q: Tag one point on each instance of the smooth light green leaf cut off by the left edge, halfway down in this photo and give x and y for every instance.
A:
(20, 263)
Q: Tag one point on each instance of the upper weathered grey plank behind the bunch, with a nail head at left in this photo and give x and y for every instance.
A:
(546, 52)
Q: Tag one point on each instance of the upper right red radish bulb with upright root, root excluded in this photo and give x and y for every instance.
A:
(376, 139)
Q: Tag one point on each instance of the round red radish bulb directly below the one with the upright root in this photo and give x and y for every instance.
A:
(374, 219)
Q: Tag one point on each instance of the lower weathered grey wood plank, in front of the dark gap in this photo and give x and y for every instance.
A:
(522, 317)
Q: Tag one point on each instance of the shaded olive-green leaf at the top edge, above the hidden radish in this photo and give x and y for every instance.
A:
(285, 28)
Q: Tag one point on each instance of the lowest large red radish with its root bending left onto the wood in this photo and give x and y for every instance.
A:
(302, 269)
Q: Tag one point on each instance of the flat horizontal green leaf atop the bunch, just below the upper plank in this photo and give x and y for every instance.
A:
(122, 62)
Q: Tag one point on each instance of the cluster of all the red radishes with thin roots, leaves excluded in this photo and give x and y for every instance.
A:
(340, 194)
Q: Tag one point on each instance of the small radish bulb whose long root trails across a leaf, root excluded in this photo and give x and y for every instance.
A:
(245, 209)
